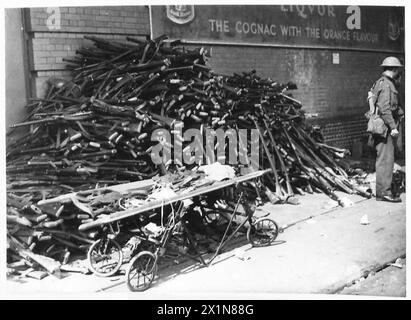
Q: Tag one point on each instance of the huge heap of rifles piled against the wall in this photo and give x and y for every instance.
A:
(95, 130)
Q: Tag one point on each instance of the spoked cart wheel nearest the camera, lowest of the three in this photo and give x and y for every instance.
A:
(141, 271)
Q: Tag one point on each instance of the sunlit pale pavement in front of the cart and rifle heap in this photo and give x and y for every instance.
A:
(323, 250)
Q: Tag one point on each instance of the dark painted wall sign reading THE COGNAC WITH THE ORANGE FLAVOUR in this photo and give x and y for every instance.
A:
(362, 27)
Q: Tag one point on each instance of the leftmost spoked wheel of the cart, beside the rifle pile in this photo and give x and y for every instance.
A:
(105, 257)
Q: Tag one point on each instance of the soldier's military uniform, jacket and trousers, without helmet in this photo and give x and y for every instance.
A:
(389, 110)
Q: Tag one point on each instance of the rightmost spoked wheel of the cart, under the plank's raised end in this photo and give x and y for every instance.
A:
(262, 232)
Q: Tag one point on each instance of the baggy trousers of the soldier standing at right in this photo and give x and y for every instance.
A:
(384, 165)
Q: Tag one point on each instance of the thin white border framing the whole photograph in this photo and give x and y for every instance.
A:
(51, 3)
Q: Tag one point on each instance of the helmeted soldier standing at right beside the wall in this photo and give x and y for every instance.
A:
(385, 89)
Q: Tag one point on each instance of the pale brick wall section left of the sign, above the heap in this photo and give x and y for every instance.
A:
(57, 34)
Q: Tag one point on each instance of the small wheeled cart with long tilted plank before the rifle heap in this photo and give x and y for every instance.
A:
(105, 255)
